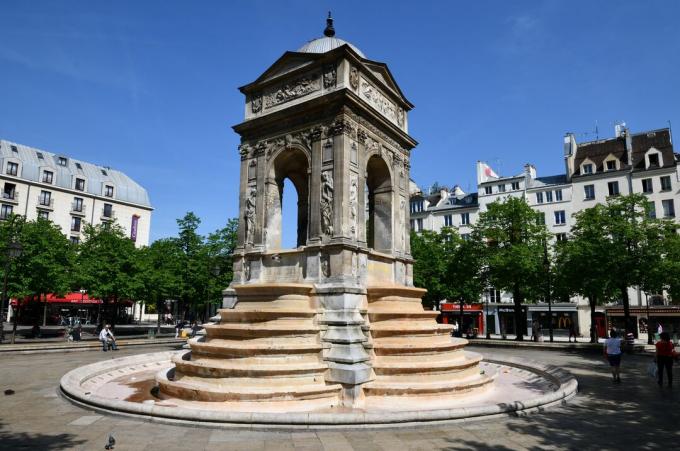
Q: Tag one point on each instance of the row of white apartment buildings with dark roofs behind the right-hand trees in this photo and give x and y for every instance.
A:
(595, 170)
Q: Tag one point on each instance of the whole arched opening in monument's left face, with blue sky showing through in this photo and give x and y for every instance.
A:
(286, 206)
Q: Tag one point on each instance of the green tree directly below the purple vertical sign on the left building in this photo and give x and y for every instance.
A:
(108, 267)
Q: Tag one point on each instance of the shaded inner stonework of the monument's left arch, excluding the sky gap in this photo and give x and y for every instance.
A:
(291, 163)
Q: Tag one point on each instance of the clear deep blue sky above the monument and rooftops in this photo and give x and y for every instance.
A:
(150, 88)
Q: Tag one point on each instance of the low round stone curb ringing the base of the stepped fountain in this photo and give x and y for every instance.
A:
(72, 387)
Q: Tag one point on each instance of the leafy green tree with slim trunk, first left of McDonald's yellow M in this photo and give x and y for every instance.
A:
(515, 236)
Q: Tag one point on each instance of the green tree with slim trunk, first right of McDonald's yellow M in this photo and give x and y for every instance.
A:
(584, 264)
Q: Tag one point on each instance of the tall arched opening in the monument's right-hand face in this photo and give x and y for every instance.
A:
(379, 201)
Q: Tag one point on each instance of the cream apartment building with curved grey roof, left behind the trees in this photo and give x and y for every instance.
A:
(69, 192)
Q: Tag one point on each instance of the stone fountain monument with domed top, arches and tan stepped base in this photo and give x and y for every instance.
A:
(336, 321)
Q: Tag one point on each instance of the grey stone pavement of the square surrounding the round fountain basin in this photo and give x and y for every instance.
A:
(633, 415)
